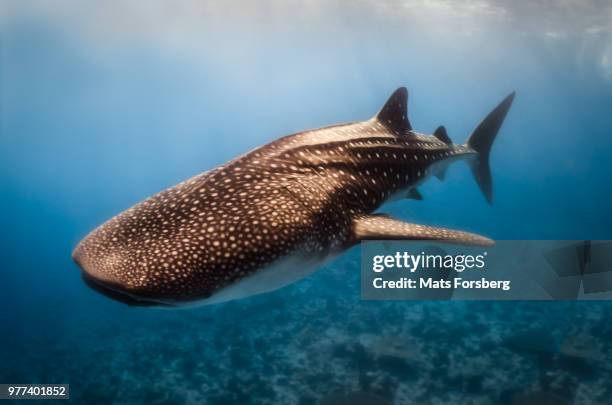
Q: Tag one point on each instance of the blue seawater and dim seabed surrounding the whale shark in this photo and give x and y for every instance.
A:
(104, 103)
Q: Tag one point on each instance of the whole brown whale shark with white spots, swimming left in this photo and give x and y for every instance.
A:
(273, 215)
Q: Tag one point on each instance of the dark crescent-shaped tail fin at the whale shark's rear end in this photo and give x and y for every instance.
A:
(481, 140)
